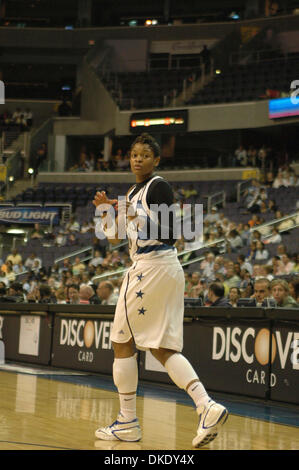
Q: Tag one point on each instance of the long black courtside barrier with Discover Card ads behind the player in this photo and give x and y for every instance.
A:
(246, 351)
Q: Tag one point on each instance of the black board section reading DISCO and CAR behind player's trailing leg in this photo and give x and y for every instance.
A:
(228, 355)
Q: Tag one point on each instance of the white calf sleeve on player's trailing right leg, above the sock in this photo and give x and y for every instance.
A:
(180, 370)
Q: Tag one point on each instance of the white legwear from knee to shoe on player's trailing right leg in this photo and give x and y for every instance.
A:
(182, 373)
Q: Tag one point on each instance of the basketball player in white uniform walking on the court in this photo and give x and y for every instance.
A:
(150, 310)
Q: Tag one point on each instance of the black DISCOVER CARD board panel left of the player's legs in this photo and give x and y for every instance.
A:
(83, 343)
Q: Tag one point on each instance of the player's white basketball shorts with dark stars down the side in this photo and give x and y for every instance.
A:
(150, 307)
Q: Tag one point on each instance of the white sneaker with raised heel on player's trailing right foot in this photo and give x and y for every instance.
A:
(212, 416)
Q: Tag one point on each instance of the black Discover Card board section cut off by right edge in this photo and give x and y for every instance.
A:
(285, 364)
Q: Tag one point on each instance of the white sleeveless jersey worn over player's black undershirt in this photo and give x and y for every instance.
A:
(141, 245)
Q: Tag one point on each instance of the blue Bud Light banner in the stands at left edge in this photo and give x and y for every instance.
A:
(29, 215)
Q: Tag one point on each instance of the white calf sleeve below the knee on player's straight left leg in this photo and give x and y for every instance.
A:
(125, 374)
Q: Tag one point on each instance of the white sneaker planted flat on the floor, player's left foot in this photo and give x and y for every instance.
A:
(120, 431)
